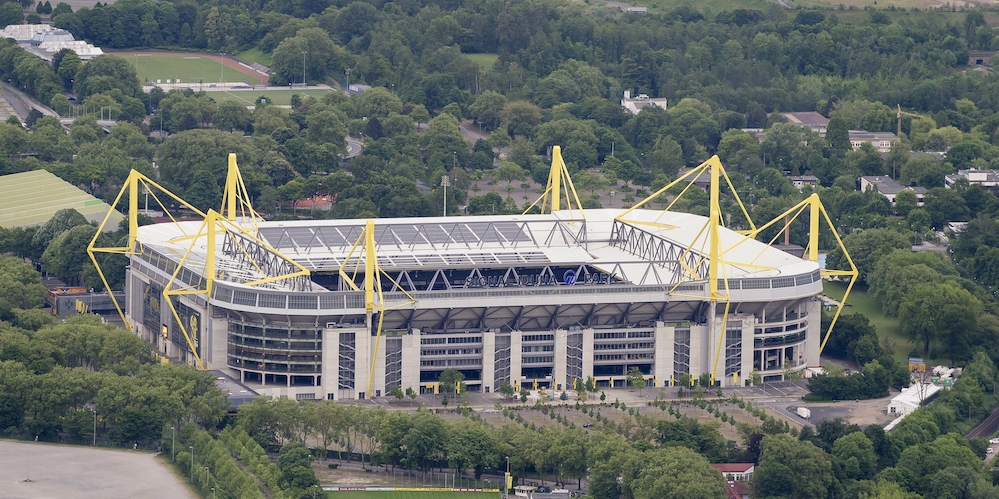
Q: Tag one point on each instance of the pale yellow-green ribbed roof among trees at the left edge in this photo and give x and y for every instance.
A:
(31, 198)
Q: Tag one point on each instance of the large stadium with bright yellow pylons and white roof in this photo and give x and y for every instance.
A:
(347, 309)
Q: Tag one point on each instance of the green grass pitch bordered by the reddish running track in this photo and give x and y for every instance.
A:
(190, 68)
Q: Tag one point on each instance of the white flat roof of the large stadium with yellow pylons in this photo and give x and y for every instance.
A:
(558, 239)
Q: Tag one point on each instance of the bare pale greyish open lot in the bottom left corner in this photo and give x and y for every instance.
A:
(84, 473)
